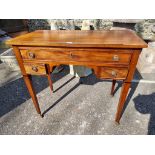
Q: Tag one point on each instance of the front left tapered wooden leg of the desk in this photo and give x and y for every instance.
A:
(28, 83)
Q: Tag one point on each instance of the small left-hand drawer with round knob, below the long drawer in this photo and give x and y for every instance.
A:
(35, 69)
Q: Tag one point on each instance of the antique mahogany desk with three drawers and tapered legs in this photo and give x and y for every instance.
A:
(111, 54)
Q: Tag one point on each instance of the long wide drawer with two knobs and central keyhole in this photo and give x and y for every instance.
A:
(78, 55)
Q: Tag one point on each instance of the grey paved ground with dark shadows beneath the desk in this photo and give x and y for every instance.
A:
(74, 109)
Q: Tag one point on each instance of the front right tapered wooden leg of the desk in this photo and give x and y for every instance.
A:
(124, 93)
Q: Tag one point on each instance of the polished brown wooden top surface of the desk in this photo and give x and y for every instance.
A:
(84, 38)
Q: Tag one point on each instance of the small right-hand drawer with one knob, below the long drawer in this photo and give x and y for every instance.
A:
(113, 73)
